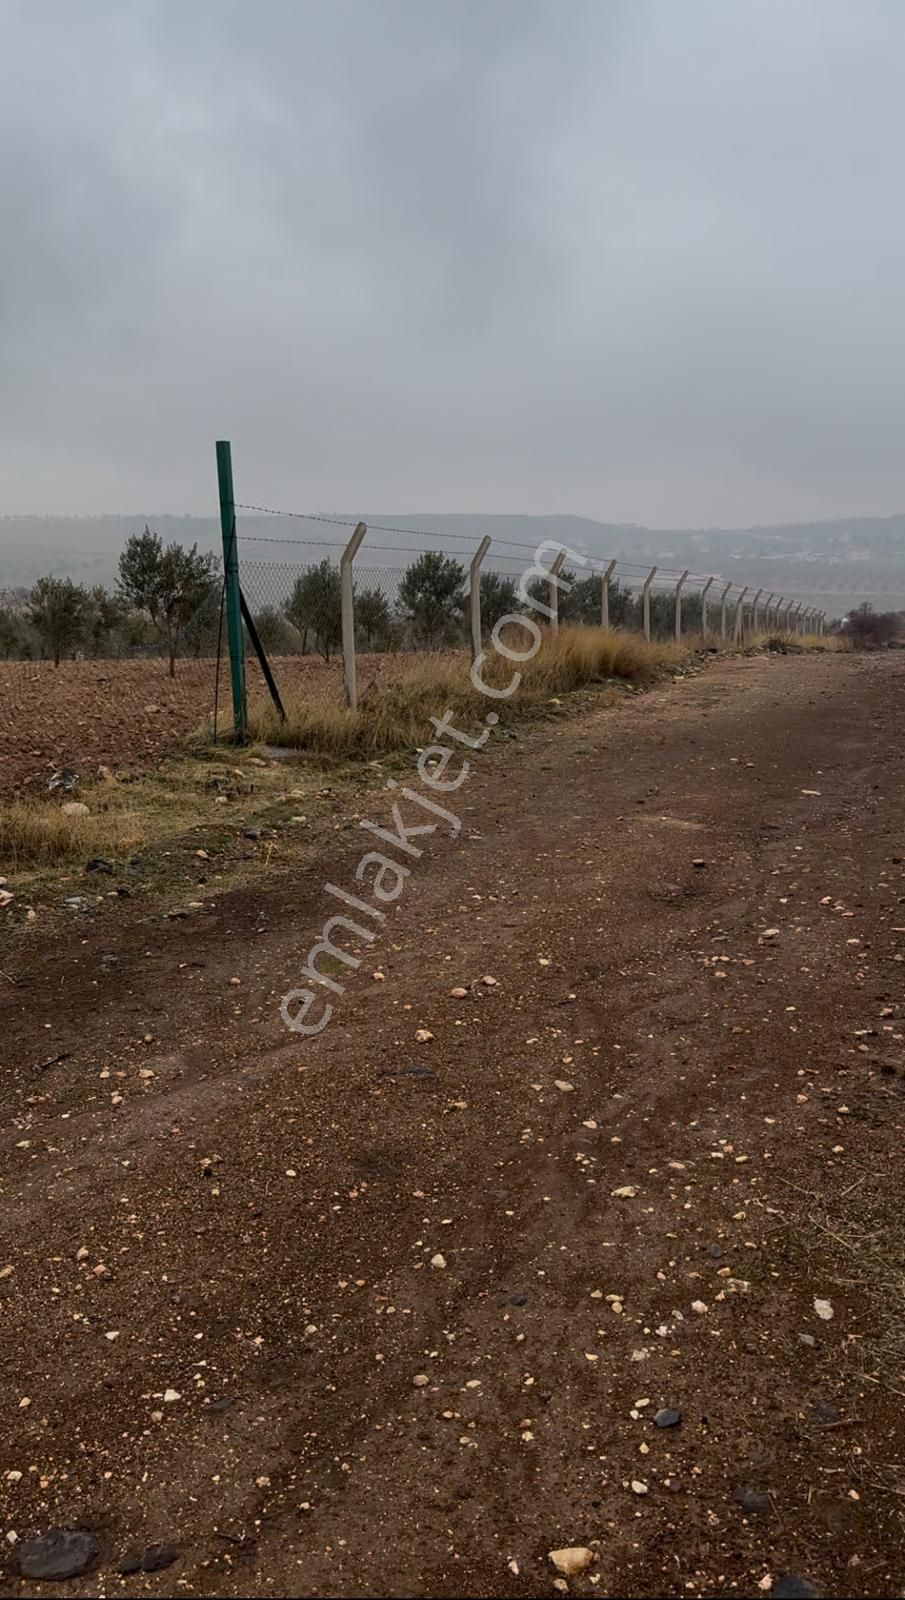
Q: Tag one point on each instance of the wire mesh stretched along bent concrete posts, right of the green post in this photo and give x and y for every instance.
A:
(409, 599)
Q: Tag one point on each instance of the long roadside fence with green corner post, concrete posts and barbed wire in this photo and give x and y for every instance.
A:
(437, 601)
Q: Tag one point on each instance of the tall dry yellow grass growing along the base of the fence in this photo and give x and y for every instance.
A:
(394, 711)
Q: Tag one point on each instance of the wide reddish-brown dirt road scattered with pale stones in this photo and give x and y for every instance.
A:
(369, 1316)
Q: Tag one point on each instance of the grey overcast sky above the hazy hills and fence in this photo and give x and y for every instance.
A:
(640, 260)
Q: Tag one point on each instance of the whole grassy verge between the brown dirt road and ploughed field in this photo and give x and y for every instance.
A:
(181, 823)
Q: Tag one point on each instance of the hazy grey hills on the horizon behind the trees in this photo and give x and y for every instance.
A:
(834, 564)
